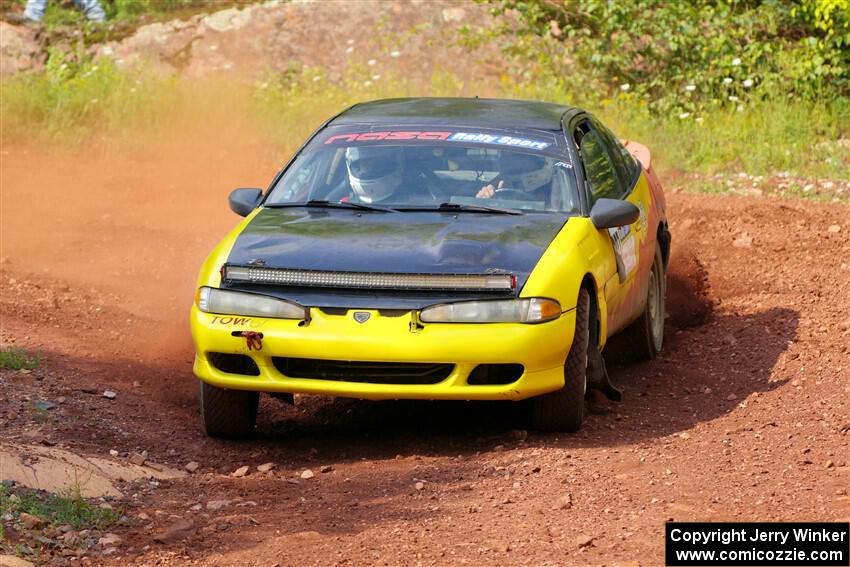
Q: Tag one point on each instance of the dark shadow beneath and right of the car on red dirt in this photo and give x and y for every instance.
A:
(704, 373)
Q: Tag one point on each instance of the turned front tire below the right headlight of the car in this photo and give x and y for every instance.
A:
(563, 410)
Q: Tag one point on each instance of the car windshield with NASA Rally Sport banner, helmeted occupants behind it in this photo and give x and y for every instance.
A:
(421, 169)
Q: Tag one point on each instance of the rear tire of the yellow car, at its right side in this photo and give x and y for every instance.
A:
(645, 337)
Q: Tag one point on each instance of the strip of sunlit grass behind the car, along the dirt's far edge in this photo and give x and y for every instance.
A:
(76, 101)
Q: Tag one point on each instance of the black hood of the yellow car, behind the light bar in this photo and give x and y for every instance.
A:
(395, 242)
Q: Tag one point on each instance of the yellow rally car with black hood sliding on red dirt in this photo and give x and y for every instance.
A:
(434, 248)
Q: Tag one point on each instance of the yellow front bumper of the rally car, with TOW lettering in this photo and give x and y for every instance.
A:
(541, 349)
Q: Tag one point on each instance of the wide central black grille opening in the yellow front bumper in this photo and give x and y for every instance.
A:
(365, 372)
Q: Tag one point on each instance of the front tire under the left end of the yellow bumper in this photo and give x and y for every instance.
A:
(229, 414)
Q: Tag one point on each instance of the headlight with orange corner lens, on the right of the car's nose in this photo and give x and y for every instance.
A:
(533, 310)
